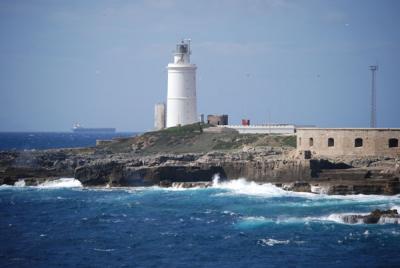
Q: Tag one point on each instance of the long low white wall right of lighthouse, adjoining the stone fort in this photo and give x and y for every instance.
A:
(281, 129)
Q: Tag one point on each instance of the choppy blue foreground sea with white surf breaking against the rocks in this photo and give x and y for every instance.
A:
(234, 223)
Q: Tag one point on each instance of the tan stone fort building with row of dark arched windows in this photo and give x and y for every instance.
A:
(349, 141)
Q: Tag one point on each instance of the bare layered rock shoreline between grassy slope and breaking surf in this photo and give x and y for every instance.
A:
(279, 166)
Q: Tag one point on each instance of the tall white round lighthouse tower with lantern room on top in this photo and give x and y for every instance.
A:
(182, 101)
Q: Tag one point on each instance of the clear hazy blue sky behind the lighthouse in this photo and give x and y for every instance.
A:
(103, 63)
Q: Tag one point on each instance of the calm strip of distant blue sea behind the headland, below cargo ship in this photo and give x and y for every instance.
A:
(48, 140)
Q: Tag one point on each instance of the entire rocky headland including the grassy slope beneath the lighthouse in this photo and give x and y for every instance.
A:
(143, 161)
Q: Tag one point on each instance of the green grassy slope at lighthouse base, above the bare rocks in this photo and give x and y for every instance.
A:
(191, 138)
